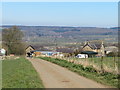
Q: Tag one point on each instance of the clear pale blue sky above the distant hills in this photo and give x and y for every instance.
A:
(80, 14)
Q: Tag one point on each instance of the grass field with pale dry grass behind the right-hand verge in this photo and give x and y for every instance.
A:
(110, 64)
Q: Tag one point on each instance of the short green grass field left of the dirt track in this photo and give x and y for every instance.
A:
(19, 73)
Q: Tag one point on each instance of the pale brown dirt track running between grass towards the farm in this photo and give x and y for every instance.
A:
(54, 76)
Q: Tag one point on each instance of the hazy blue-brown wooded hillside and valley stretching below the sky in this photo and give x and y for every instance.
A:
(48, 34)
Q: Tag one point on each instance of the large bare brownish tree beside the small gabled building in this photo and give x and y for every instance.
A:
(12, 40)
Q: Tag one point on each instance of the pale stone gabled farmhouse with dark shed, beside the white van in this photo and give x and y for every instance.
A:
(93, 48)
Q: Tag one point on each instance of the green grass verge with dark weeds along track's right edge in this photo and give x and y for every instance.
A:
(89, 72)
